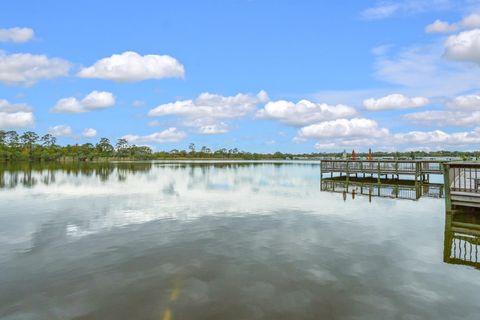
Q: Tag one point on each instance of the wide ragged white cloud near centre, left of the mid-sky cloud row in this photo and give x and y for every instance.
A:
(207, 110)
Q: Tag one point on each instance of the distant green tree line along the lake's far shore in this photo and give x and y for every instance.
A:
(30, 146)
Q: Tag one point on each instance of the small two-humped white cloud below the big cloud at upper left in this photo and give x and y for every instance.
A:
(93, 101)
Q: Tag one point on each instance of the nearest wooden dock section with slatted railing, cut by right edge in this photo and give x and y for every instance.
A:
(462, 184)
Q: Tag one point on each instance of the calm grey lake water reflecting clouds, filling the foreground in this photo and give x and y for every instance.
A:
(219, 241)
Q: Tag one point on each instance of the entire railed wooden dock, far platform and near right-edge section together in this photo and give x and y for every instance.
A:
(400, 177)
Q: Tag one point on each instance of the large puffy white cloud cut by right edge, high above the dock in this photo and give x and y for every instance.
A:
(464, 46)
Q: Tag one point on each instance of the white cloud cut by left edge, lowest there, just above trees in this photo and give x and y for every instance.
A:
(14, 116)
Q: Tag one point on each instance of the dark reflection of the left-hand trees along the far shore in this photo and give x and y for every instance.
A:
(30, 174)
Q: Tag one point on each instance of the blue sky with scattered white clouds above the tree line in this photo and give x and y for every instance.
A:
(265, 76)
